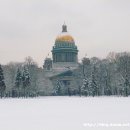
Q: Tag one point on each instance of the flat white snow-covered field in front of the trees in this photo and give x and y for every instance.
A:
(65, 113)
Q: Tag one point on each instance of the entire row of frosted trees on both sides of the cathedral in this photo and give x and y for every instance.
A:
(94, 77)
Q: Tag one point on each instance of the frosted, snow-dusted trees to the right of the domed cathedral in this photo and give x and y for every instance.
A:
(110, 76)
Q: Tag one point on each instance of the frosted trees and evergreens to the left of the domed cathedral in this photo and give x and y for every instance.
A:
(18, 79)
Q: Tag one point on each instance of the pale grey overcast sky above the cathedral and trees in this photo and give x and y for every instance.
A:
(29, 27)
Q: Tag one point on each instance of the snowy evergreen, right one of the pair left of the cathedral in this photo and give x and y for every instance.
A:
(25, 79)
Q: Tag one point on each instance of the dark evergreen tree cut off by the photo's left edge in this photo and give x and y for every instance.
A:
(2, 83)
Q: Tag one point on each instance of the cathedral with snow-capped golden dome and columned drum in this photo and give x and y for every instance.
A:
(58, 71)
